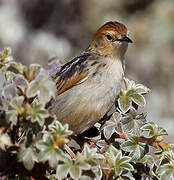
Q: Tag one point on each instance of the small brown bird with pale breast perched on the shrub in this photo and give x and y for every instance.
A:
(87, 85)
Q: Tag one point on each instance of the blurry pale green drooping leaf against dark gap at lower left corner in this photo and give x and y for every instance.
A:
(28, 156)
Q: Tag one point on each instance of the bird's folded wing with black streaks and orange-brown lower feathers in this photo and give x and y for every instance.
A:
(72, 73)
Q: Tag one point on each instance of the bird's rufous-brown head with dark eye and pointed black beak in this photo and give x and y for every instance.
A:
(111, 40)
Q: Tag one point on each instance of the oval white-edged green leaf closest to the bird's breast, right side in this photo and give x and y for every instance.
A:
(124, 103)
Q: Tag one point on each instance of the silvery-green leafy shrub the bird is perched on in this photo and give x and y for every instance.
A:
(33, 143)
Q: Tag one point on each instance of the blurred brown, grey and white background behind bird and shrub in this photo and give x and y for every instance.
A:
(38, 30)
